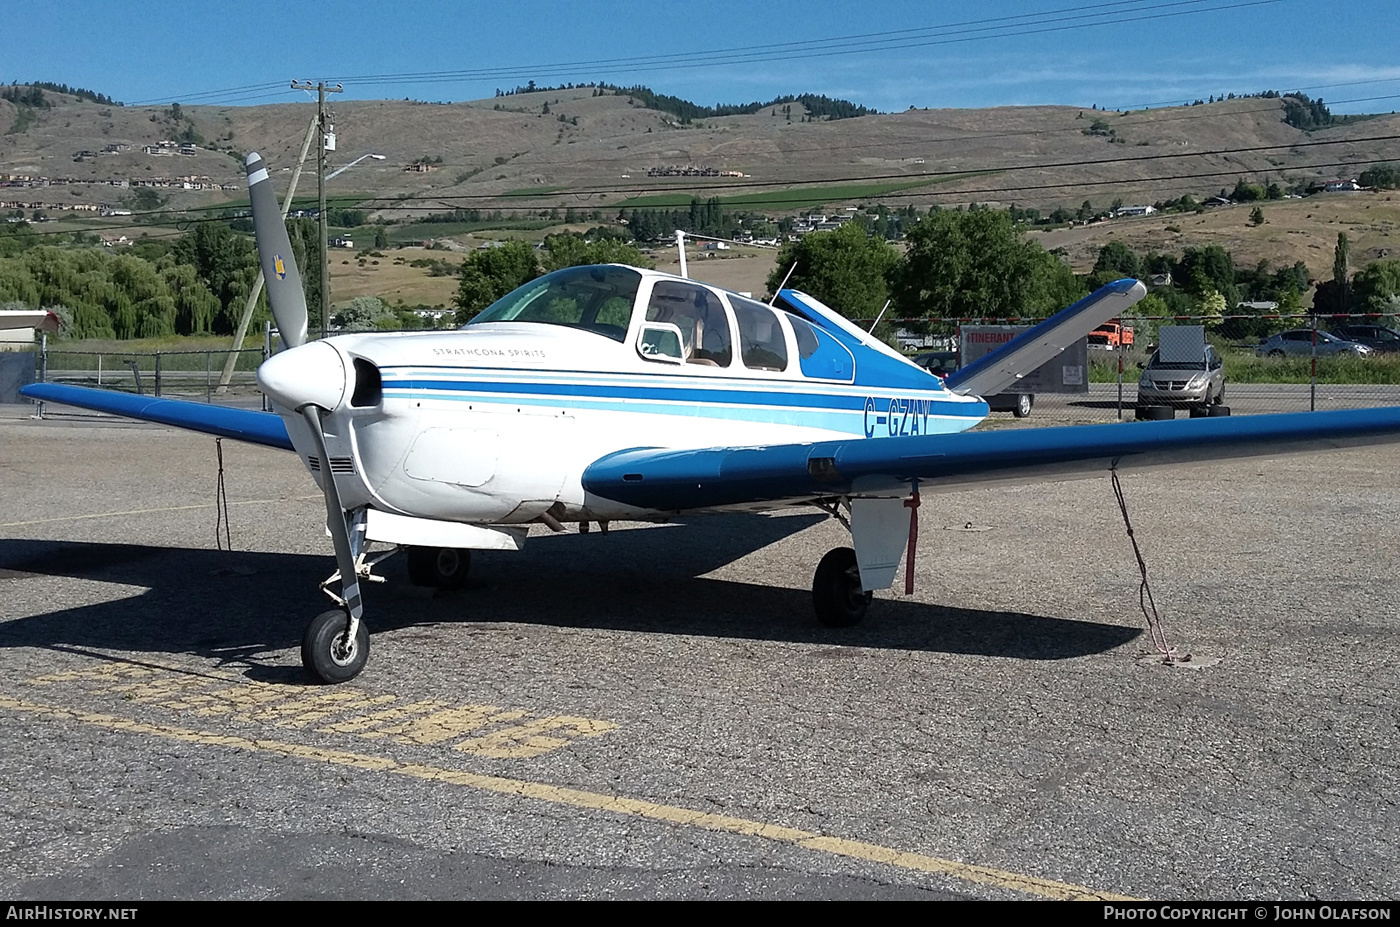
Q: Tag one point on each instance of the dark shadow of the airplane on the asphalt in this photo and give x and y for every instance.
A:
(237, 607)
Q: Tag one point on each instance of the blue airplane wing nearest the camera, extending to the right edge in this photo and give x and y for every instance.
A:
(715, 478)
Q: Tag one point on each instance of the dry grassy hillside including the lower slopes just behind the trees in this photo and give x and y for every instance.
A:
(594, 153)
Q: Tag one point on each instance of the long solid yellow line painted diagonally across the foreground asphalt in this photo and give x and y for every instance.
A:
(597, 802)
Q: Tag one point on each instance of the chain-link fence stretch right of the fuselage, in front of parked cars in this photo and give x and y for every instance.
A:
(1310, 363)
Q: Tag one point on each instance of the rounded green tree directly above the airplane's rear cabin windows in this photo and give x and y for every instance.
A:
(848, 268)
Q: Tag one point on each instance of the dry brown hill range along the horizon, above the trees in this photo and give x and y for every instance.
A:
(594, 152)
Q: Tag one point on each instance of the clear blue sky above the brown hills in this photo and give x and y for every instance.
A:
(884, 54)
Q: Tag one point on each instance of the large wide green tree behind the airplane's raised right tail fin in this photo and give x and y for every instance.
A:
(976, 265)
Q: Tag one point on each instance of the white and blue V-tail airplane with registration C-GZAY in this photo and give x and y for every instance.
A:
(608, 393)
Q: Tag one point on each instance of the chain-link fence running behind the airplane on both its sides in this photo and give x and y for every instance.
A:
(1311, 363)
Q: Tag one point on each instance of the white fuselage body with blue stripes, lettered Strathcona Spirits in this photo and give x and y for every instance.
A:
(496, 424)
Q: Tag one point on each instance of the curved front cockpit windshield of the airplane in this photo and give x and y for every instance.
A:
(596, 299)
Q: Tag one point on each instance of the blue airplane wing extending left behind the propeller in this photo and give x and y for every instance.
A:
(244, 425)
